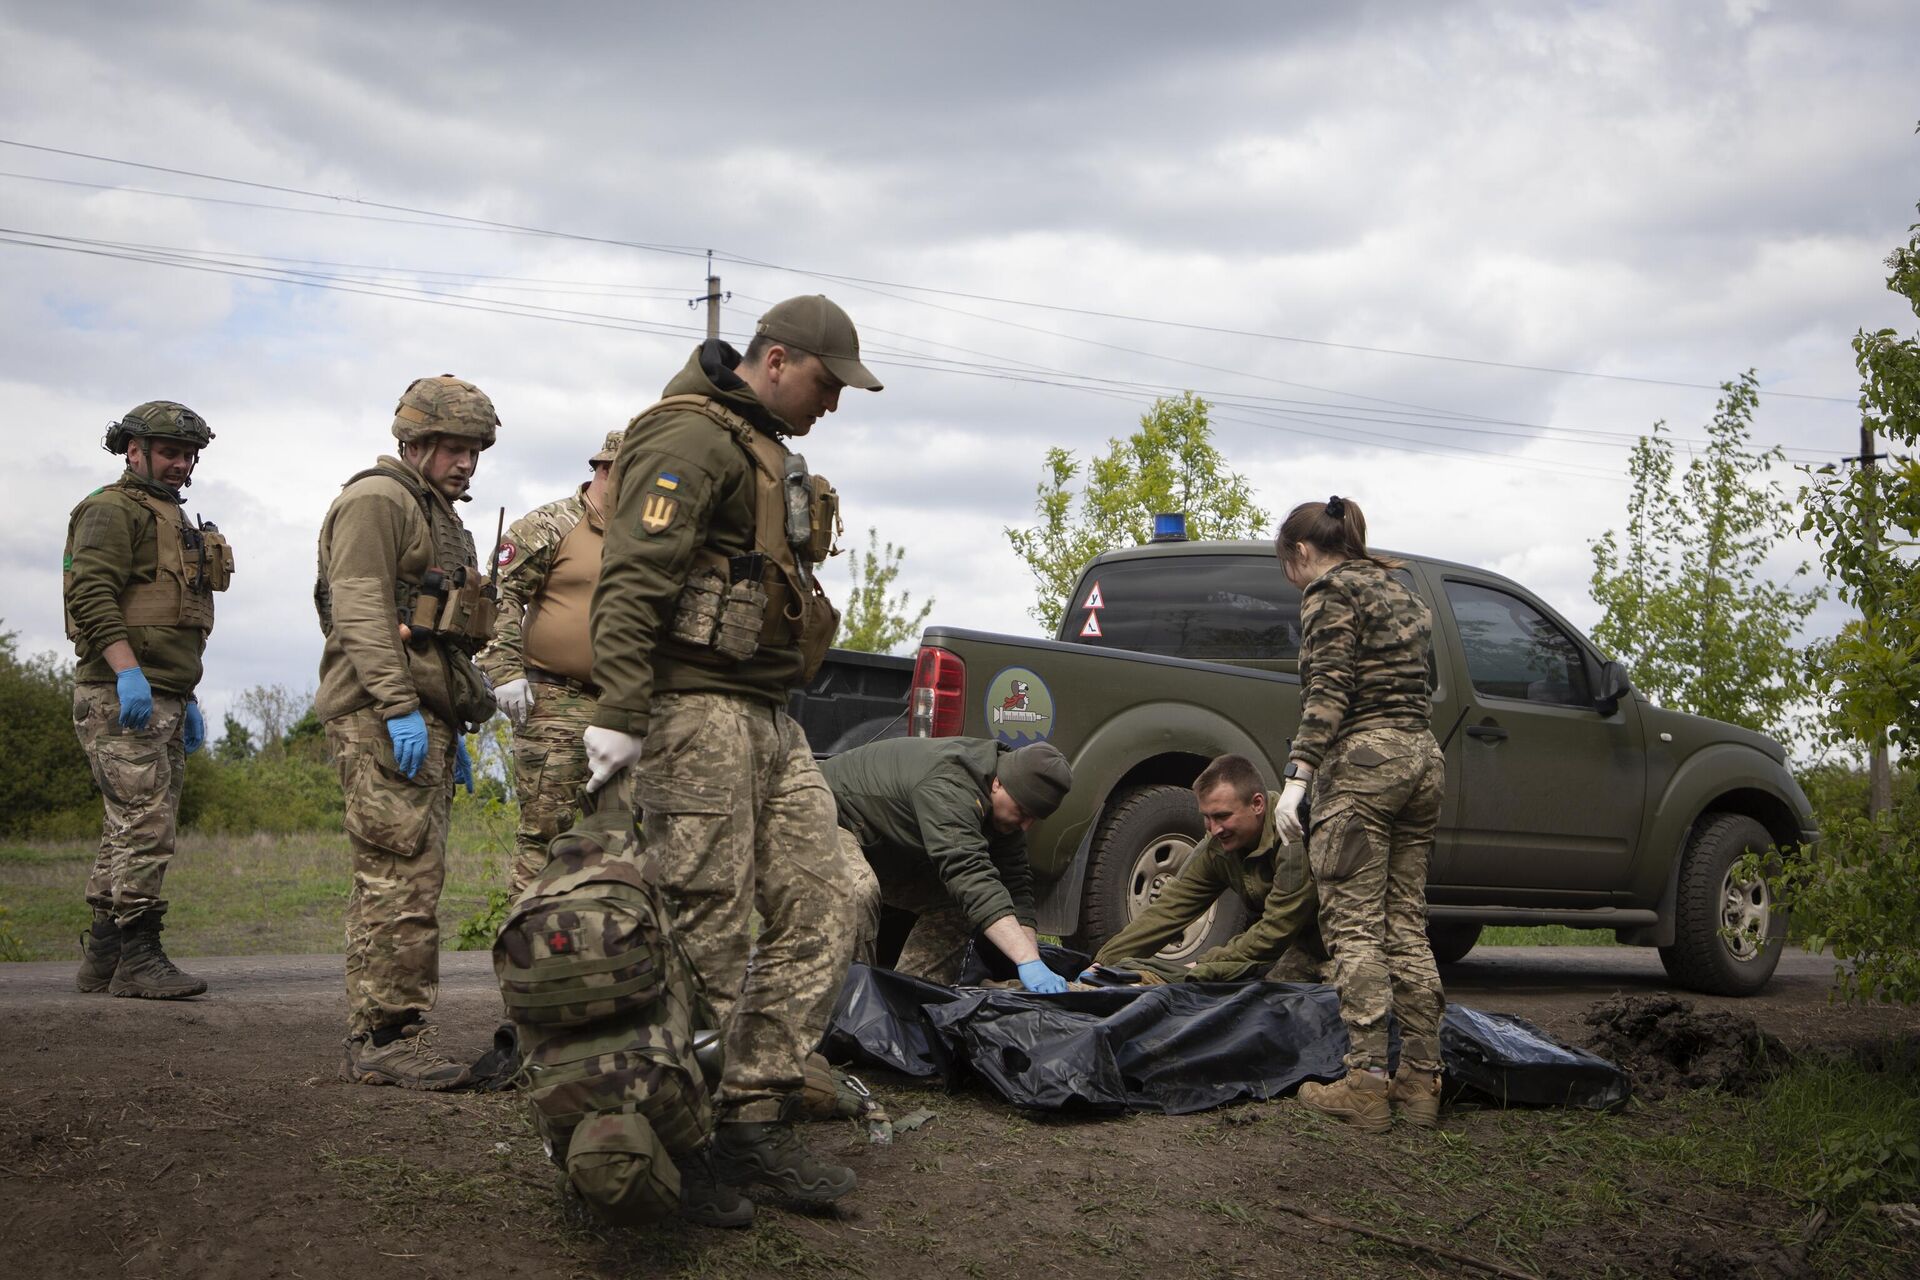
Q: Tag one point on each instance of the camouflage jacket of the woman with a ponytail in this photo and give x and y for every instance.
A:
(1364, 644)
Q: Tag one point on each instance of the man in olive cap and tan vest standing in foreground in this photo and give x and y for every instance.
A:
(706, 617)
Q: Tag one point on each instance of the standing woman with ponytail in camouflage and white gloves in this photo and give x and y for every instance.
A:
(1378, 776)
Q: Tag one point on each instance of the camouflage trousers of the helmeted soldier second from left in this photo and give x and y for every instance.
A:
(398, 836)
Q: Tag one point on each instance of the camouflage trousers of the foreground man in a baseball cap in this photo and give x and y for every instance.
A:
(742, 820)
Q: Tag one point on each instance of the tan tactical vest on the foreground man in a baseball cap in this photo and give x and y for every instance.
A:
(796, 527)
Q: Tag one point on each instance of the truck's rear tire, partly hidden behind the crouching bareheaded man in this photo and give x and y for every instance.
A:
(1143, 843)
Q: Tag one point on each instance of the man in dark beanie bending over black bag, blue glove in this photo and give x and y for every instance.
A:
(944, 822)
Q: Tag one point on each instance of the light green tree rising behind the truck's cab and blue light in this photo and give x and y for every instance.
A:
(1166, 465)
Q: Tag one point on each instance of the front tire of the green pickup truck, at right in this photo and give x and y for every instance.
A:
(1712, 901)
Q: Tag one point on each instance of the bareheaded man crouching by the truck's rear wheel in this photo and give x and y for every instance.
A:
(1243, 855)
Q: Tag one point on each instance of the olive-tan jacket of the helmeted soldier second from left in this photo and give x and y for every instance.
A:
(373, 536)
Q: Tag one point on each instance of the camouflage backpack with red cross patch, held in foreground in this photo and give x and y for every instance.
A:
(606, 1005)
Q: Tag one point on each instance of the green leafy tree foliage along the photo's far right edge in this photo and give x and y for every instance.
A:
(1860, 889)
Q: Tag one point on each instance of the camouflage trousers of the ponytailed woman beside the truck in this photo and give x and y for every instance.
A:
(1376, 809)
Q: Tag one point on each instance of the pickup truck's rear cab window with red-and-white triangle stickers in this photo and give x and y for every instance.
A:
(1195, 607)
